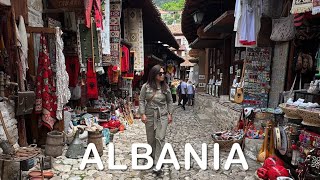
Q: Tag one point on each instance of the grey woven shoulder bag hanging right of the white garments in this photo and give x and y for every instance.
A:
(283, 28)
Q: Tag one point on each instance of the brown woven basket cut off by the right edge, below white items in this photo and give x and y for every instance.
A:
(310, 118)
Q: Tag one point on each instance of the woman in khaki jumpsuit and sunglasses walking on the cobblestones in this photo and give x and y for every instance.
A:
(155, 105)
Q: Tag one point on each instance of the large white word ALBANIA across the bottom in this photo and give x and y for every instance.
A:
(189, 151)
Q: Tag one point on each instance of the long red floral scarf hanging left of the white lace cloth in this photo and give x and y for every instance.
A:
(46, 102)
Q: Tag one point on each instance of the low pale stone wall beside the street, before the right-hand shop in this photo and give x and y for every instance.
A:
(226, 114)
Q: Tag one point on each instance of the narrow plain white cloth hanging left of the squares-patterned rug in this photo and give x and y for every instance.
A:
(105, 33)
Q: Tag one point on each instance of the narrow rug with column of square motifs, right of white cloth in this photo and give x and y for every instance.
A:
(115, 34)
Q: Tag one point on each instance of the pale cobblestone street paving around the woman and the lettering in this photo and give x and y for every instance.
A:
(186, 128)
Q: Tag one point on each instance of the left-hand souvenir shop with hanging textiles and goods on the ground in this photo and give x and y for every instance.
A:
(64, 83)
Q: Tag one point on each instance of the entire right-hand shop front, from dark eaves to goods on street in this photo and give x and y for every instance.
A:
(270, 78)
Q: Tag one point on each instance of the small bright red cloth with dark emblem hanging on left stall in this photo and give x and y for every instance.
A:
(92, 84)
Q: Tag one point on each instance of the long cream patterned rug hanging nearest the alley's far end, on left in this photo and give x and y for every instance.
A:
(133, 28)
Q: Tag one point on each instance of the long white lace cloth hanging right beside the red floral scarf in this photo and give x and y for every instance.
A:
(63, 92)
